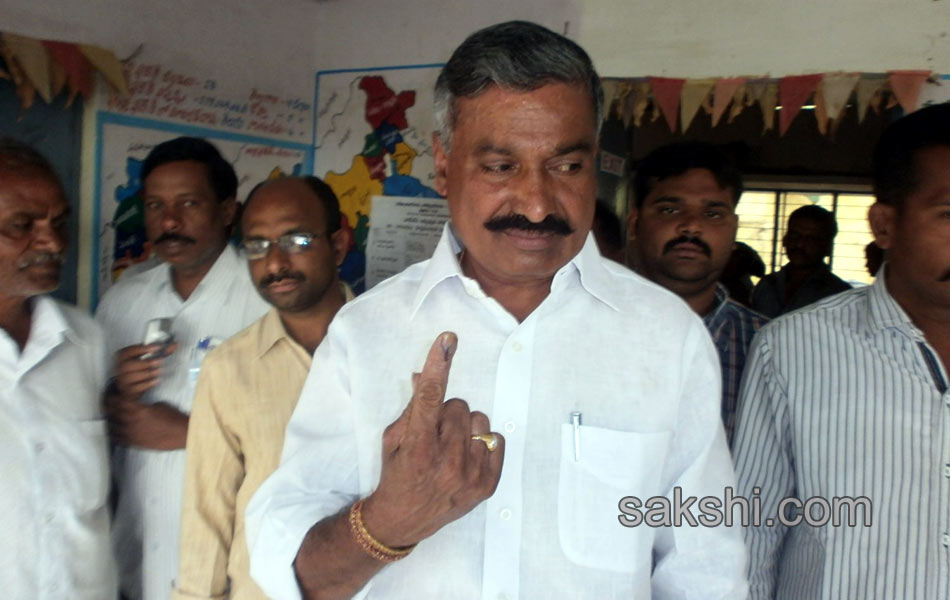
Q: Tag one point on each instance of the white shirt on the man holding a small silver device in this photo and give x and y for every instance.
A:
(151, 482)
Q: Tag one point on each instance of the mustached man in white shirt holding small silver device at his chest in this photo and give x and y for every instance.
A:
(203, 285)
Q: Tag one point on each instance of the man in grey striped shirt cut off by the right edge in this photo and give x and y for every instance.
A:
(848, 399)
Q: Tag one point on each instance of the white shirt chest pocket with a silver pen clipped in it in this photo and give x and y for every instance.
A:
(610, 464)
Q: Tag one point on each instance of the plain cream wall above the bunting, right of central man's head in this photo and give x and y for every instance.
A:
(705, 38)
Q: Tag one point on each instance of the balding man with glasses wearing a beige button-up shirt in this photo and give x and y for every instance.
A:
(249, 386)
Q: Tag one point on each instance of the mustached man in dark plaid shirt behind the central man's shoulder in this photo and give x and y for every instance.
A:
(682, 231)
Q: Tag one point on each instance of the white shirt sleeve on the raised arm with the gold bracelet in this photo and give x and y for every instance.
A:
(317, 476)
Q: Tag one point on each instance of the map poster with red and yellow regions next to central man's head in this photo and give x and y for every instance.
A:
(373, 137)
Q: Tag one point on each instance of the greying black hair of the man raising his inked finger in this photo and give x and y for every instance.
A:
(516, 55)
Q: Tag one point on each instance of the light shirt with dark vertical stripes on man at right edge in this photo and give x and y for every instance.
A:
(847, 398)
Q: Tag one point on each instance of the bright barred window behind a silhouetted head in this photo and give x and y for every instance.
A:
(763, 213)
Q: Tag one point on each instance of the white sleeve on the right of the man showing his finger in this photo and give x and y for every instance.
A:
(699, 561)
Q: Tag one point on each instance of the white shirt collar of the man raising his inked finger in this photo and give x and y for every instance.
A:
(588, 264)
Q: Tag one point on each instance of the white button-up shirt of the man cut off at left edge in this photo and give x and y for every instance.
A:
(54, 468)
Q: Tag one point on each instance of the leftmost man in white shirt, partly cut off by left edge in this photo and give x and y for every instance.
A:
(53, 445)
